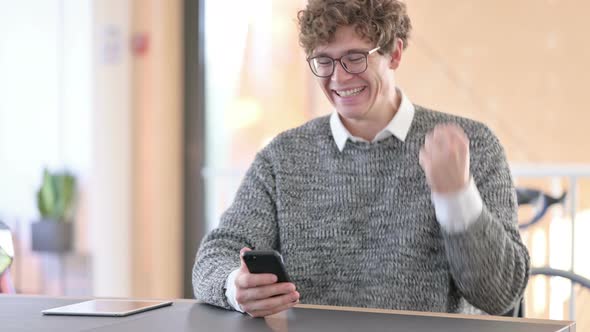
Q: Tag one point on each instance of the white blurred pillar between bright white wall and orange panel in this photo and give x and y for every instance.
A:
(111, 204)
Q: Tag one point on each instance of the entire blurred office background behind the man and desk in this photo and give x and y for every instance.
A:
(155, 108)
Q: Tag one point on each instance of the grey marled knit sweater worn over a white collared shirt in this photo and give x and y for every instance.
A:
(358, 228)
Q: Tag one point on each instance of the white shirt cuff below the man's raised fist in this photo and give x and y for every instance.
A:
(456, 211)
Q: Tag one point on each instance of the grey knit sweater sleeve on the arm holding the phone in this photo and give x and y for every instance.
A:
(249, 222)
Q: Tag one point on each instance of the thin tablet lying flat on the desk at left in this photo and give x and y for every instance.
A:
(112, 308)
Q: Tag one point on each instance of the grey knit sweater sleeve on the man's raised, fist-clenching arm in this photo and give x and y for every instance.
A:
(489, 262)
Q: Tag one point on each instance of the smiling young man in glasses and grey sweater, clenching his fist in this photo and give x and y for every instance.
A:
(383, 204)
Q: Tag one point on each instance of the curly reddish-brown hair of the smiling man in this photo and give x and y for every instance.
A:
(379, 21)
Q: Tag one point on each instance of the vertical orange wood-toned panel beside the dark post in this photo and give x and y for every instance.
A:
(157, 163)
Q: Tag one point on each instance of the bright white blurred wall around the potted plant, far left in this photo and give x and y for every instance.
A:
(45, 109)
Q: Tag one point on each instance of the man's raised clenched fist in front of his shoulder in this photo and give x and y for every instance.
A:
(445, 159)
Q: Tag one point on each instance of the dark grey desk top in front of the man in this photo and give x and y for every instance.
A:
(23, 313)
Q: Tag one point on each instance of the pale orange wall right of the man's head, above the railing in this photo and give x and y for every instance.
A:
(520, 66)
